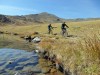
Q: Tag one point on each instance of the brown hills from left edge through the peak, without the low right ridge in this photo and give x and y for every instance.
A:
(32, 18)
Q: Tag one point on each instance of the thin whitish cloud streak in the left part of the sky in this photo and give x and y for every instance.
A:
(5, 7)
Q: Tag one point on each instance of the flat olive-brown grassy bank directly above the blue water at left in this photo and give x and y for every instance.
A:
(8, 41)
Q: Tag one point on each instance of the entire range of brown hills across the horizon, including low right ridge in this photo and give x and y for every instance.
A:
(38, 18)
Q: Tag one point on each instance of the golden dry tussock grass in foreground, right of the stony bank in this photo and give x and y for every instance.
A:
(80, 57)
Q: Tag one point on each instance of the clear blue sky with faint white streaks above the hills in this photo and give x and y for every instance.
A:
(67, 9)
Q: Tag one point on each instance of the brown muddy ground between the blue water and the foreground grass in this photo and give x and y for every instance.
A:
(48, 64)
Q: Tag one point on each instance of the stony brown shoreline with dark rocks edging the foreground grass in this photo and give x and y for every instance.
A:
(50, 62)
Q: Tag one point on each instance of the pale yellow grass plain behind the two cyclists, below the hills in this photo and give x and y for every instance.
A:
(76, 28)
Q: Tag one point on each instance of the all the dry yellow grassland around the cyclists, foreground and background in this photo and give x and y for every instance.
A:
(80, 53)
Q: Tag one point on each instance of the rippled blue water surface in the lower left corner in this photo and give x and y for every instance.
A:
(12, 60)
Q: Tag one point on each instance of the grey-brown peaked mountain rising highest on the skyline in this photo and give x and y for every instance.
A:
(44, 17)
